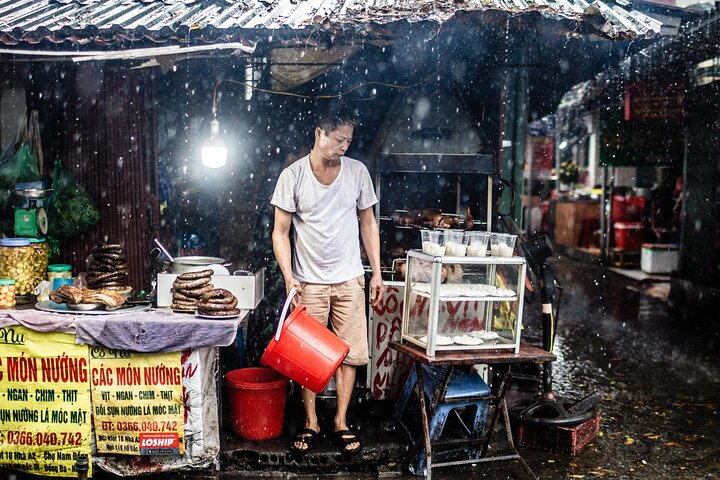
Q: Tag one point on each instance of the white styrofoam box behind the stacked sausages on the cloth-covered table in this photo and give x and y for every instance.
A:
(249, 289)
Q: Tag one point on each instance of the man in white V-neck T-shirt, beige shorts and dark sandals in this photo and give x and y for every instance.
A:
(321, 196)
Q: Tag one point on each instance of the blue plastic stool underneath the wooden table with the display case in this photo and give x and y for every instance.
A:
(464, 390)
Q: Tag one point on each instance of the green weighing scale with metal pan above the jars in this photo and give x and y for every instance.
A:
(30, 216)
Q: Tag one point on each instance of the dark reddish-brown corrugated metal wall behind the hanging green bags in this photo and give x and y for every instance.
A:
(105, 133)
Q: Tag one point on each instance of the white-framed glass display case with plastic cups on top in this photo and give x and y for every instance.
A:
(463, 303)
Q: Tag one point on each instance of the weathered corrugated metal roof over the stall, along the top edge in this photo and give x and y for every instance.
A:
(107, 21)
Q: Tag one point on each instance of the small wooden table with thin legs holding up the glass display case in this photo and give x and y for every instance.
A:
(454, 359)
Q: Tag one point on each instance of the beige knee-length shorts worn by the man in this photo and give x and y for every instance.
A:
(344, 305)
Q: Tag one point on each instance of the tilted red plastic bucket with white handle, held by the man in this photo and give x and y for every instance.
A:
(303, 349)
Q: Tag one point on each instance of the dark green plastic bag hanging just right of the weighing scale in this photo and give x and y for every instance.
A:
(70, 209)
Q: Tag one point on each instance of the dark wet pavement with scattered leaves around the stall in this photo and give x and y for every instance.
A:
(656, 366)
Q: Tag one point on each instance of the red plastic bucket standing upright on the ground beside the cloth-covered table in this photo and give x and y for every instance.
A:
(257, 402)
